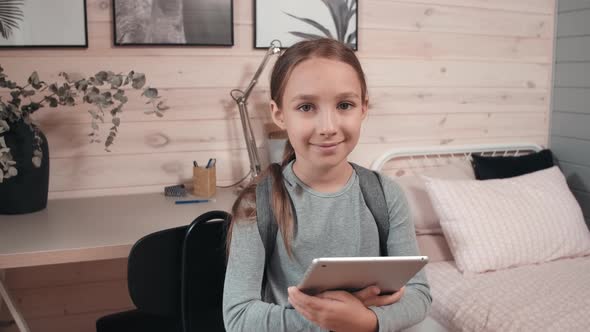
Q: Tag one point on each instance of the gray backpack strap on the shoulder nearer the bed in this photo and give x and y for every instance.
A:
(372, 190)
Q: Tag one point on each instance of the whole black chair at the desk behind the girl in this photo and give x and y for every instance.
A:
(175, 279)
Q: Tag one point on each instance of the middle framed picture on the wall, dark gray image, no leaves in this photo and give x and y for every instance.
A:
(173, 22)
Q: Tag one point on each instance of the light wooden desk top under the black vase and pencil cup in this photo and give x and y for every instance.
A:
(86, 229)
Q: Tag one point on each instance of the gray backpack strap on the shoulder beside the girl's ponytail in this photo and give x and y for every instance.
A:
(267, 225)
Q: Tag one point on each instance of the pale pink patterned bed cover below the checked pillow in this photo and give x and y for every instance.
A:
(553, 296)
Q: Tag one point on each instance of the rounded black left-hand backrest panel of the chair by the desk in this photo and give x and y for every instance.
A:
(154, 272)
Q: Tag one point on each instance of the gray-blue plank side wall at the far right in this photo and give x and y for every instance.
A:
(570, 120)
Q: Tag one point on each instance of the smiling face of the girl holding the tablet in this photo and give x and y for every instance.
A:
(322, 112)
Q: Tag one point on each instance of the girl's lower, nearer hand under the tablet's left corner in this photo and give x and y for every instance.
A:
(334, 310)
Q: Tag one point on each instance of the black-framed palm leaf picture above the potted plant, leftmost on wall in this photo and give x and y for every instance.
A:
(42, 23)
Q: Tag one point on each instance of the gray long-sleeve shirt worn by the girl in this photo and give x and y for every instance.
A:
(328, 225)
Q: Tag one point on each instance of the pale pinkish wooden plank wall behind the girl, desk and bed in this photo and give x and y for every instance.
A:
(439, 72)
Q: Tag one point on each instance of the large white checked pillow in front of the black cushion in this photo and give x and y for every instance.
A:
(496, 224)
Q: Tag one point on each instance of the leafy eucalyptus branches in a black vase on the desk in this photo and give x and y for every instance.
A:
(24, 153)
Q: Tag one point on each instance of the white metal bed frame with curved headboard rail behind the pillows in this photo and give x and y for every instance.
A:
(437, 154)
